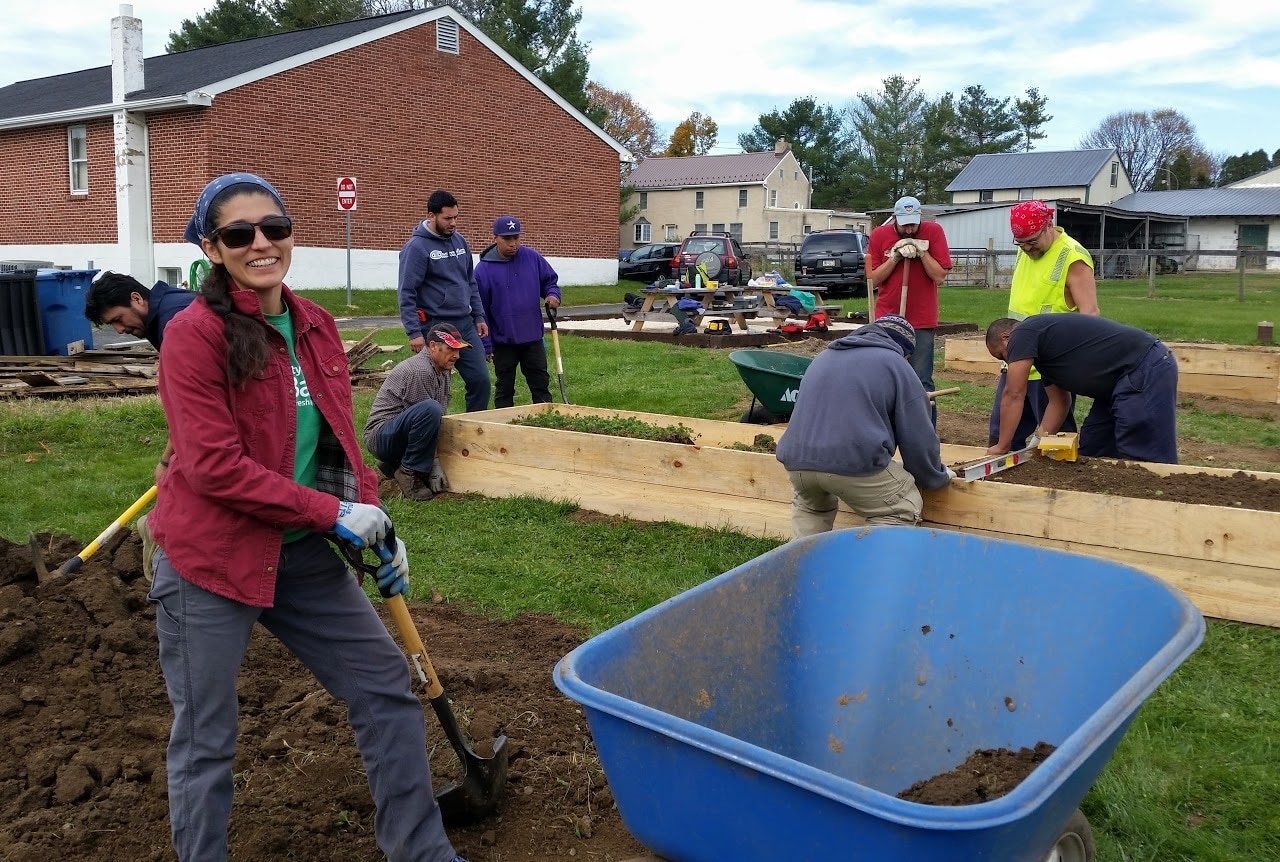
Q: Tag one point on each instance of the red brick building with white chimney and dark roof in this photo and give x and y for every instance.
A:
(106, 165)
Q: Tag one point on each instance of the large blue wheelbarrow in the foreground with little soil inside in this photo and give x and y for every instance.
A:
(776, 712)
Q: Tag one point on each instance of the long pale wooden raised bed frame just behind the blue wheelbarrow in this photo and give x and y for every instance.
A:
(1222, 558)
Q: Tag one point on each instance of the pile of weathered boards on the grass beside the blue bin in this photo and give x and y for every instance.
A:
(121, 372)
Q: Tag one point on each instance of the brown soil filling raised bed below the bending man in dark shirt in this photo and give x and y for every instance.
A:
(1237, 491)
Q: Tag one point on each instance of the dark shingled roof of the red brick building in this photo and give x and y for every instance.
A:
(173, 75)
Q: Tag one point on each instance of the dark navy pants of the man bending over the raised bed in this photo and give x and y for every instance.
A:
(1140, 421)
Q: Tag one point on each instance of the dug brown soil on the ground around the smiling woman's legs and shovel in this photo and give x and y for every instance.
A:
(84, 724)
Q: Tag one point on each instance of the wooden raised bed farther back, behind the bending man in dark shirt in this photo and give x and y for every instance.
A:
(1224, 371)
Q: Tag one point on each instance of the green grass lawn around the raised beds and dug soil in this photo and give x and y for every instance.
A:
(1196, 778)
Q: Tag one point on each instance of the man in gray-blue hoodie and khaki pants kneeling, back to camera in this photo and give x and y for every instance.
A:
(861, 403)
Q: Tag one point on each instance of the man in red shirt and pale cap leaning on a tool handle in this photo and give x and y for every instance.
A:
(908, 261)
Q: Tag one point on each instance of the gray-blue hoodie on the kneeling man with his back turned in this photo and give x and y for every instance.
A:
(860, 403)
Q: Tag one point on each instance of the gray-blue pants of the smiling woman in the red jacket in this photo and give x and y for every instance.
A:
(324, 619)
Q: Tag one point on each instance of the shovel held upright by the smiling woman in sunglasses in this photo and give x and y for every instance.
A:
(483, 778)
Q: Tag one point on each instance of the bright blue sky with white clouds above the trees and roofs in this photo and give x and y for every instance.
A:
(1217, 63)
